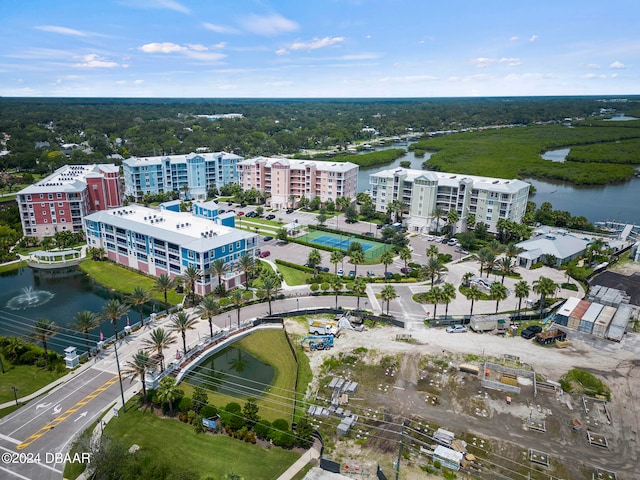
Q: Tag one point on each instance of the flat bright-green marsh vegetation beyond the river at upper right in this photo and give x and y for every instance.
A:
(515, 153)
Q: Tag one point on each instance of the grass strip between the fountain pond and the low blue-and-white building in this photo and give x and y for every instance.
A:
(124, 280)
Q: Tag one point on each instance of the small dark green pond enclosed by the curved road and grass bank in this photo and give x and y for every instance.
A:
(232, 372)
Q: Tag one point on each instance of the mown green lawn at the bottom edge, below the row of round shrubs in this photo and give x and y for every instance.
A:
(210, 455)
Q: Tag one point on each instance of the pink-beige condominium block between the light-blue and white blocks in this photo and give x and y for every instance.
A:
(288, 180)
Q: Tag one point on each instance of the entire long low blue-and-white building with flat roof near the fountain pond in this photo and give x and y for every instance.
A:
(156, 242)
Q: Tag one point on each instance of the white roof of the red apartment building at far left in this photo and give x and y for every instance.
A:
(70, 178)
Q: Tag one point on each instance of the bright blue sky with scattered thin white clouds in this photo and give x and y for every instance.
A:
(319, 48)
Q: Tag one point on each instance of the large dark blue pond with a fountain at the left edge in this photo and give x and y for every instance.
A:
(29, 294)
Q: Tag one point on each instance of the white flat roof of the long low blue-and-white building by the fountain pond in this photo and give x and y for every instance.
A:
(185, 229)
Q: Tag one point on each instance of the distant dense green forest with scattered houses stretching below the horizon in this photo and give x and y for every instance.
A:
(145, 127)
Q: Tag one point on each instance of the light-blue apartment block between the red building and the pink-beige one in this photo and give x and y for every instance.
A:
(189, 175)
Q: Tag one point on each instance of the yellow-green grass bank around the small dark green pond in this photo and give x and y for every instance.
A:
(268, 346)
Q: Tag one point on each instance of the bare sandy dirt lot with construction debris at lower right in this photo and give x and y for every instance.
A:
(419, 380)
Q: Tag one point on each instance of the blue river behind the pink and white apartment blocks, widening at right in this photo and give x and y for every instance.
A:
(615, 202)
